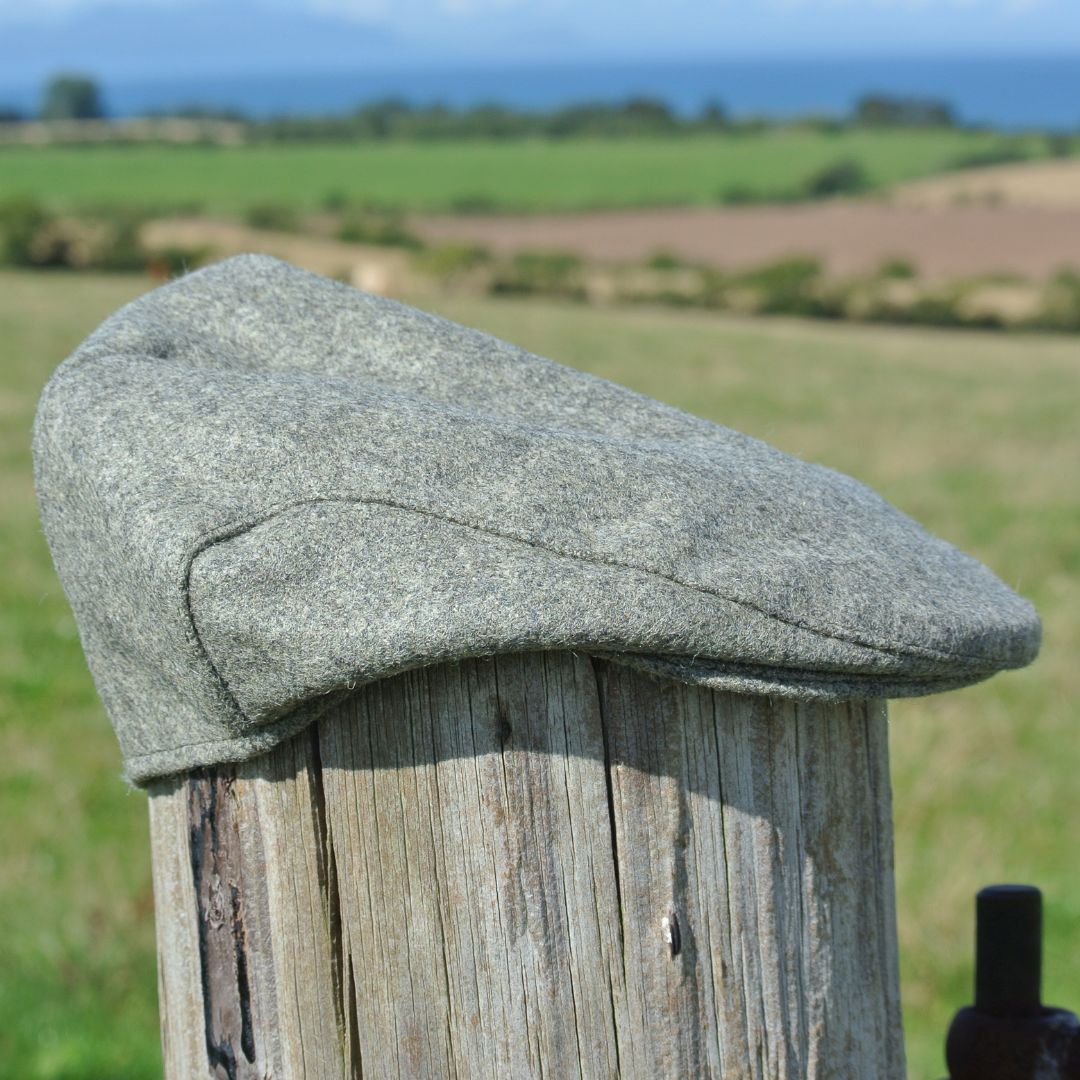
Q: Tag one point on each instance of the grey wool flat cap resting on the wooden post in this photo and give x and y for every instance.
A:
(263, 490)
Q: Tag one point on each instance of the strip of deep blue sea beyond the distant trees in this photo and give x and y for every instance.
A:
(1002, 92)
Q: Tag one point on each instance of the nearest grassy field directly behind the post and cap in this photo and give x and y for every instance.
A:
(975, 435)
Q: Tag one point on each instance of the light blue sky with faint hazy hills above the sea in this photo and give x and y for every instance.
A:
(139, 39)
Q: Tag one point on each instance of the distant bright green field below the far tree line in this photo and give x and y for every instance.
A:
(526, 175)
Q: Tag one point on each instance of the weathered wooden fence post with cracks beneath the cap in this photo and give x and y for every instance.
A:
(536, 866)
